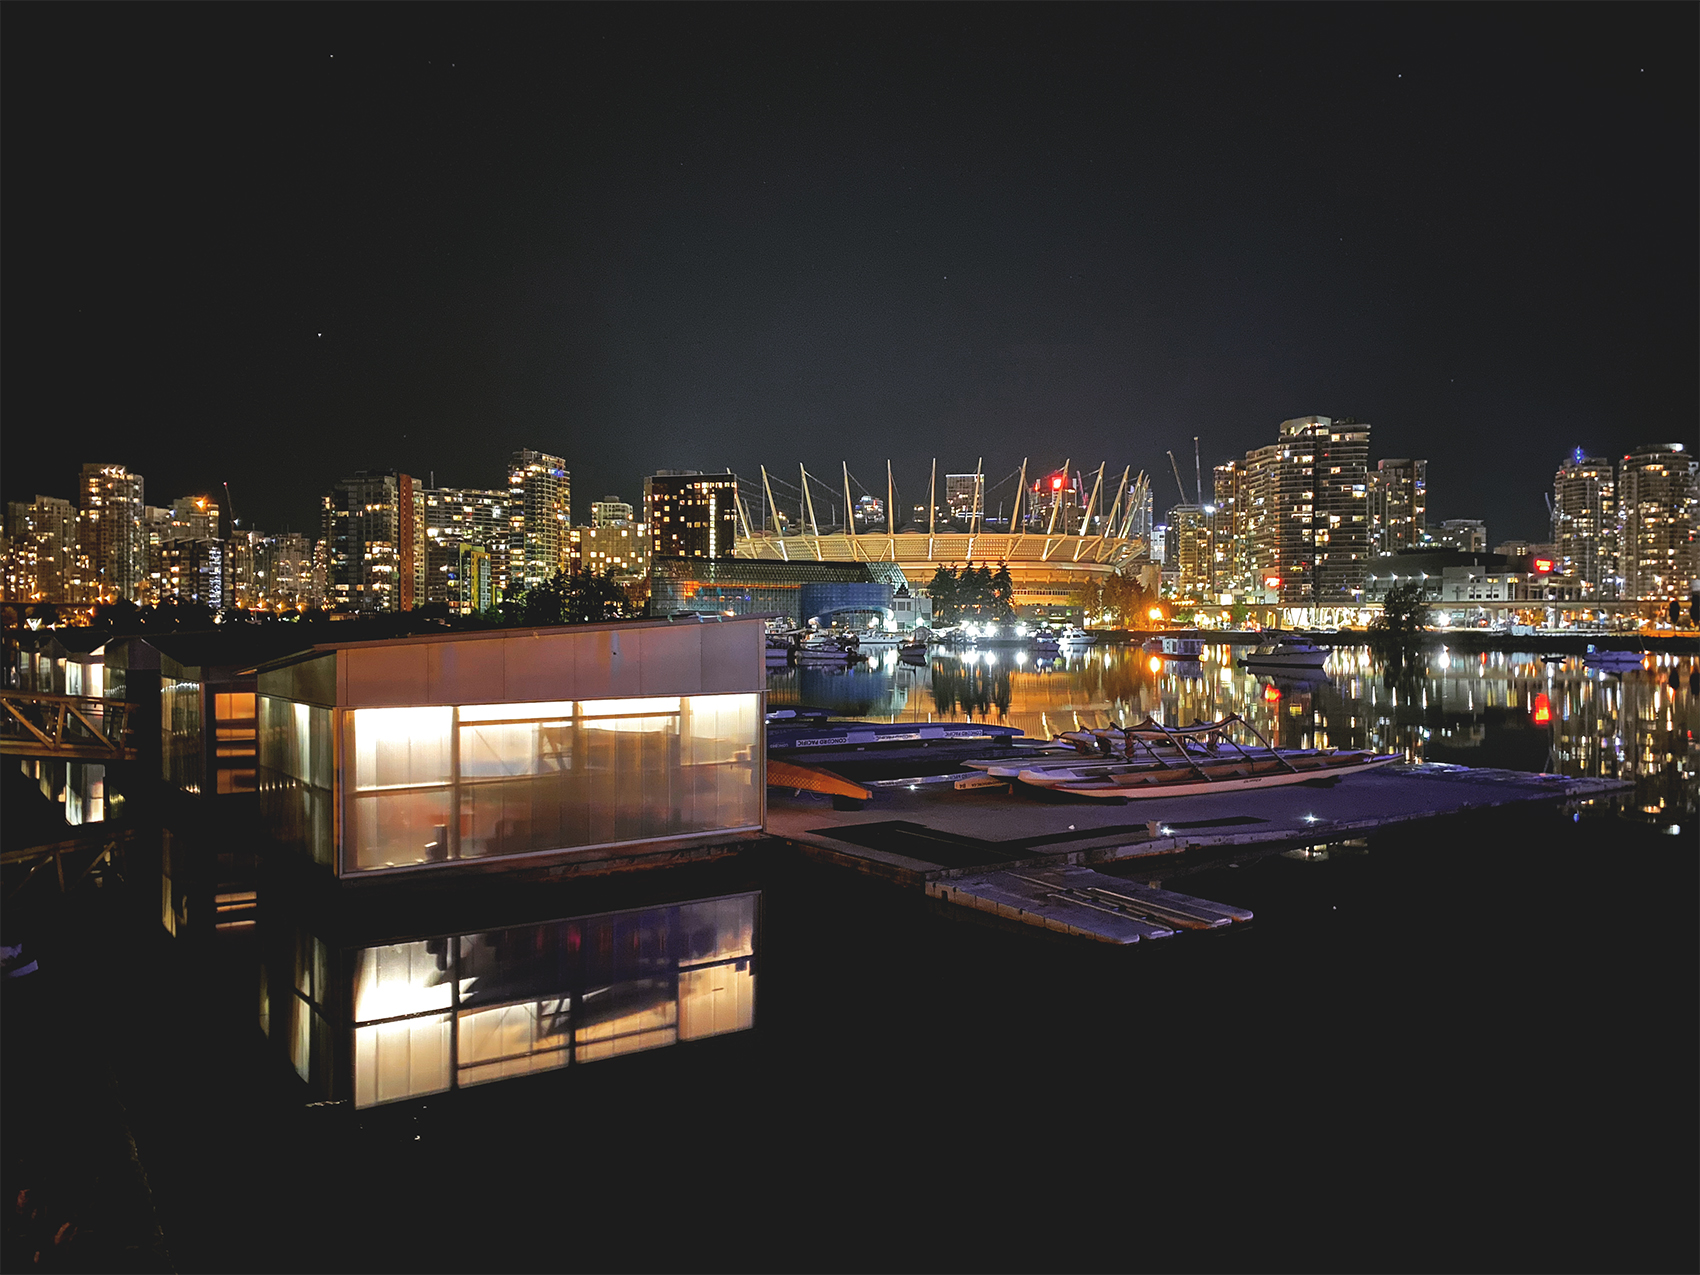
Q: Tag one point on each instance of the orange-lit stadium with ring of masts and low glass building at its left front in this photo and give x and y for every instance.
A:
(1051, 531)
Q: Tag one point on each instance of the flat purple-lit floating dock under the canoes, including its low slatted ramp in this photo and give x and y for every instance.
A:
(1031, 858)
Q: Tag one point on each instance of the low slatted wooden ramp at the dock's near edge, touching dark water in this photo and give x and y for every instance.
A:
(1080, 902)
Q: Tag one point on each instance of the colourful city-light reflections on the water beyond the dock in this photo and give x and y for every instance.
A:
(1492, 710)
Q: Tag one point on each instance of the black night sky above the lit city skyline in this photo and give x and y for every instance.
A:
(271, 246)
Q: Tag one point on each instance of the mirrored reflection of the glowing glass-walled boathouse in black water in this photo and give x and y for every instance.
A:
(411, 1019)
